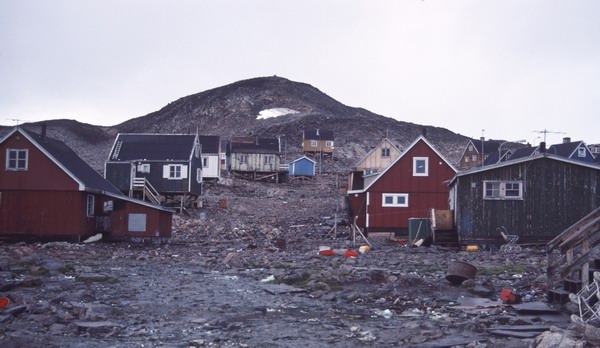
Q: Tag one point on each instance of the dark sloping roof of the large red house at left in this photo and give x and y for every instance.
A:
(69, 160)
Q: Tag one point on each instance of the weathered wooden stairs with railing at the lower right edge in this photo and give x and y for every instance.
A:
(573, 272)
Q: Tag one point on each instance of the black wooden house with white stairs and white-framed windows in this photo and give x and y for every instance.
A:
(146, 164)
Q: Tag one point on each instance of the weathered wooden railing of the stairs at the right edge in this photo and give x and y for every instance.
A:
(569, 252)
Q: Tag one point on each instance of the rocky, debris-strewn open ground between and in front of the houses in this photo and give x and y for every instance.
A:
(245, 270)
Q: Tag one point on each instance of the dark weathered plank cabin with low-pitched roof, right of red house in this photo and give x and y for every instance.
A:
(534, 197)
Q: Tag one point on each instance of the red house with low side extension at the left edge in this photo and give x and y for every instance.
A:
(47, 191)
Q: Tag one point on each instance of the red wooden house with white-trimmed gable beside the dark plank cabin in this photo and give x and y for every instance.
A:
(414, 183)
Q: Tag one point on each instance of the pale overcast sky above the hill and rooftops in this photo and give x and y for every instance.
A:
(507, 67)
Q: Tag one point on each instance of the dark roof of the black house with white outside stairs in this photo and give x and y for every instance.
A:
(150, 147)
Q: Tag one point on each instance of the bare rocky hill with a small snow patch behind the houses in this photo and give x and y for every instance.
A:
(243, 107)
